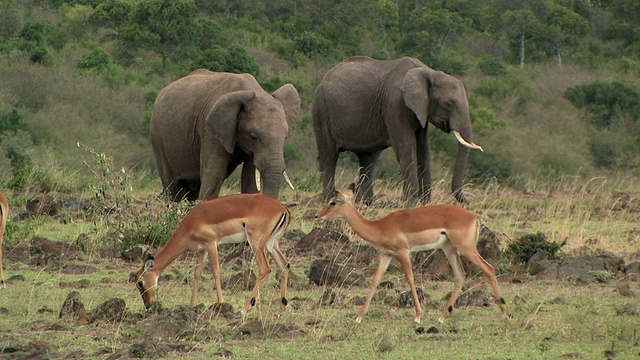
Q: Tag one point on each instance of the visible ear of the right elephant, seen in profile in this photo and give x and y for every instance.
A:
(415, 92)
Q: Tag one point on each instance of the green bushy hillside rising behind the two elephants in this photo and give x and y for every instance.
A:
(553, 85)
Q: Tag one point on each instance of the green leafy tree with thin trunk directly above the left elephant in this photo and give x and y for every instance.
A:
(166, 27)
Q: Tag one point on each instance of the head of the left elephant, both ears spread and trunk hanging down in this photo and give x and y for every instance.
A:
(258, 123)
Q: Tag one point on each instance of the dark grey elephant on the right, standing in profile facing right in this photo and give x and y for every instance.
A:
(364, 106)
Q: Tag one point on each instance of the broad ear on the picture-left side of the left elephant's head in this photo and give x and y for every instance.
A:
(223, 117)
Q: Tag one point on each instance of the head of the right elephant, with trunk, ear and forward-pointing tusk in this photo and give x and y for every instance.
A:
(441, 99)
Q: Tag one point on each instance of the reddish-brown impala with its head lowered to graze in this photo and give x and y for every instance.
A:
(259, 219)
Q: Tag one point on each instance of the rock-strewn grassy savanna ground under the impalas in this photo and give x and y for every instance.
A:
(544, 319)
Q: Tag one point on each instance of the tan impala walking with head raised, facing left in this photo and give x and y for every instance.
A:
(447, 227)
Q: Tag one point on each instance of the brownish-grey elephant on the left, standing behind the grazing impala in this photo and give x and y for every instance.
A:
(207, 123)
